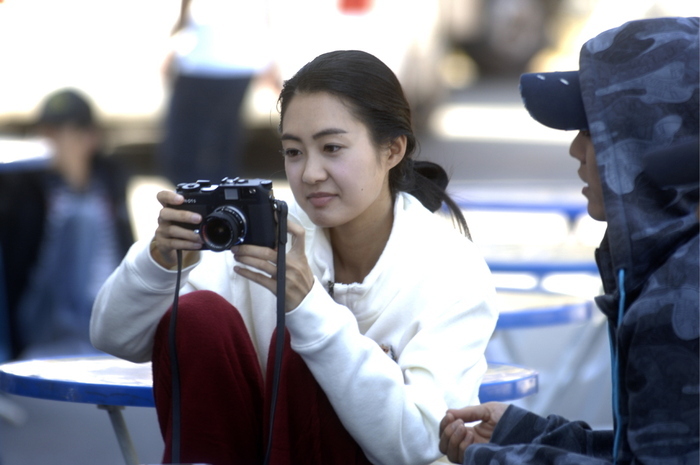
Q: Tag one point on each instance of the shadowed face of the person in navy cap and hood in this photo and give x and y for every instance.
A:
(582, 149)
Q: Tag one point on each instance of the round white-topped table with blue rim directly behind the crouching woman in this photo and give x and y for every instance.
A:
(113, 383)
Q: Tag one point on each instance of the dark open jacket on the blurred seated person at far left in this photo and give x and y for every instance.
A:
(23, 212)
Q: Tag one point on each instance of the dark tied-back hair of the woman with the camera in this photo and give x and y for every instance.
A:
(374, 95)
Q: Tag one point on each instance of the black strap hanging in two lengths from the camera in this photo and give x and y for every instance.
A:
(281, 208)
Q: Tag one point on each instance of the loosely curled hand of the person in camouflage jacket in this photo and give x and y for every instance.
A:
(455, 436)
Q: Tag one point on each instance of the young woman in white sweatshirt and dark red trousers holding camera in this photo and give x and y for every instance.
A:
(389, 306)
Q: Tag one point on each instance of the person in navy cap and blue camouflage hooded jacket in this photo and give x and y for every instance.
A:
(635, 95)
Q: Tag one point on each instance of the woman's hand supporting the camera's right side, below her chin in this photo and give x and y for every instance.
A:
(299, 277)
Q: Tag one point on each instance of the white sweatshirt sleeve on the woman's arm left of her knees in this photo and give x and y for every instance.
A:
(131, 303)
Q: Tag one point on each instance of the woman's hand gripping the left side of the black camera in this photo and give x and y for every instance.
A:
(170, 237)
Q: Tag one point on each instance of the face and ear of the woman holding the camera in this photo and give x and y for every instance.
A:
(337, 174)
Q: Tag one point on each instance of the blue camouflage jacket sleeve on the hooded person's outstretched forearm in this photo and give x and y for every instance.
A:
(522, 437)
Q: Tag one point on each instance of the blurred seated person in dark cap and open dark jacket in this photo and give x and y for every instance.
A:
(63, 230)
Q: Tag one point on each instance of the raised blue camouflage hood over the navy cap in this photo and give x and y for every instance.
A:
(639, 87)
